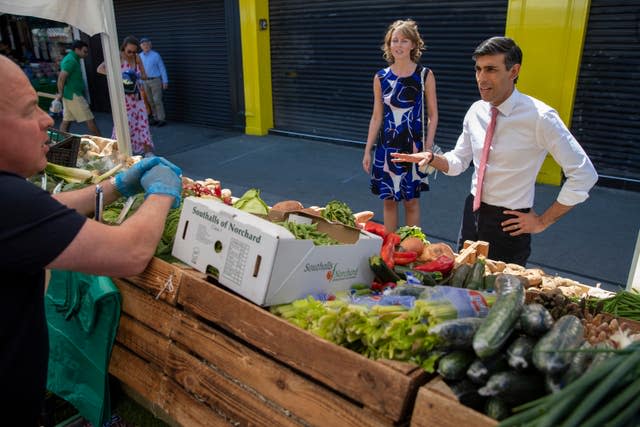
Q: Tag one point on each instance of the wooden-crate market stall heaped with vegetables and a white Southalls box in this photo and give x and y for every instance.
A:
(247, 327)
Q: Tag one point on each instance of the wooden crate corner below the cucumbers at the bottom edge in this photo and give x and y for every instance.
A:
(436, 406)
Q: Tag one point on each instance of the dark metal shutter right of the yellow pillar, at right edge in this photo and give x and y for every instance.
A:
(606, 117)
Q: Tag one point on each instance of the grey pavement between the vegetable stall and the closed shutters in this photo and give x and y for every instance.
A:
(593, 244)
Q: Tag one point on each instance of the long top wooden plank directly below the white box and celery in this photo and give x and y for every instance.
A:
(376, 385)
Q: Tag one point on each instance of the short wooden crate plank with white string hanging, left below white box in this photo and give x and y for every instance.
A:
(161, 279)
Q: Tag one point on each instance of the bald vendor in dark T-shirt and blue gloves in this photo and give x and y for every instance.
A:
(41, 231)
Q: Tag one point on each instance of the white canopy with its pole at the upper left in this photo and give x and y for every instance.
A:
(92, 17)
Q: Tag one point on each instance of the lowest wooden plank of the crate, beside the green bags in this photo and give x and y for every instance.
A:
(160, 393)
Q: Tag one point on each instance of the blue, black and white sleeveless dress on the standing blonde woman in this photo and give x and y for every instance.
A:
(401, 132)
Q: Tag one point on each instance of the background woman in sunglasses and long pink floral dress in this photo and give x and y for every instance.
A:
(132, 76)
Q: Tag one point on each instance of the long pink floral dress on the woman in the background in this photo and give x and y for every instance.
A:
(137, 115)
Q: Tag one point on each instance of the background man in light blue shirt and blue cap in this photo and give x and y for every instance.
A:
(157, 81)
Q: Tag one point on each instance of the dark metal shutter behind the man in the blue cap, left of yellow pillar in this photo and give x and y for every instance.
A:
(192, 38)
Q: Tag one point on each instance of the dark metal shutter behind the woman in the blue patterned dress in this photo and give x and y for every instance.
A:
(324, 55)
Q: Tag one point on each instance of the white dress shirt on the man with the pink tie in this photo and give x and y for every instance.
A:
(526, 129)
